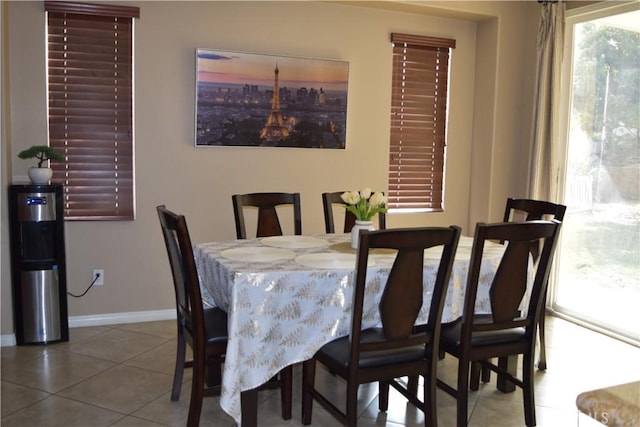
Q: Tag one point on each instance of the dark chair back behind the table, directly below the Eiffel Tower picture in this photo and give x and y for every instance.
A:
(268, 221)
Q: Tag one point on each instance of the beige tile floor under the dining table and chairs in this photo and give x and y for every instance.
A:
(121, 375)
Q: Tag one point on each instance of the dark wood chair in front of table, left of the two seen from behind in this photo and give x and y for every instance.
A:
(398, 348)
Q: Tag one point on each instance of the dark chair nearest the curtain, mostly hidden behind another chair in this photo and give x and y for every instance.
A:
(531, 210)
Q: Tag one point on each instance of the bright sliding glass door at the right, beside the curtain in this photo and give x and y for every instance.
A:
(598, 263)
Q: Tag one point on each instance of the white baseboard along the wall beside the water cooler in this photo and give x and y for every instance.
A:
(106, 319)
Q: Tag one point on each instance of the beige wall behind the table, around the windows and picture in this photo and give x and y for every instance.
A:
(489, 122)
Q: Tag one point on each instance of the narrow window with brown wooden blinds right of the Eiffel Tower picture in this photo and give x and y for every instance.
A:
(418, 122)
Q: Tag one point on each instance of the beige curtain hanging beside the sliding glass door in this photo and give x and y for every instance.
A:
(543, 170)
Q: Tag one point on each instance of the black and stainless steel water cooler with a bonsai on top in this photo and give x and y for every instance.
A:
(38, 270)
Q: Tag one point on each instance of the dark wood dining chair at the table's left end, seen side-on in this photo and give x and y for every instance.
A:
(203, 329)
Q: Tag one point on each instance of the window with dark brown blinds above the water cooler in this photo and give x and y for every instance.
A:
(90, 76)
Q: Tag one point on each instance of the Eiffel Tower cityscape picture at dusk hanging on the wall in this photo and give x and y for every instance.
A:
(248, 99)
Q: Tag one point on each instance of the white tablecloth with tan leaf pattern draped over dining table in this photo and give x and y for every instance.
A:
(288, 296)
